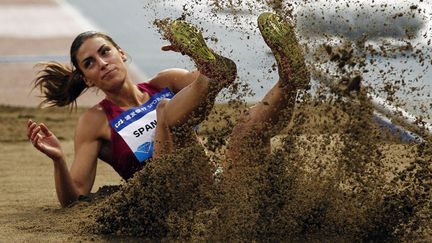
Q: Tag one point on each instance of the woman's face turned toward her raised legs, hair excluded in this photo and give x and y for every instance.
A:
(102, 64)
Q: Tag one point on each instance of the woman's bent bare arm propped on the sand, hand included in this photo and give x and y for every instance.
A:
(70, 184)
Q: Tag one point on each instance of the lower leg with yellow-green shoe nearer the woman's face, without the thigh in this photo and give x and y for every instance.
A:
(193, 102)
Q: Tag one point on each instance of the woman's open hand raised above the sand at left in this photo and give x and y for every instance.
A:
(44, 140)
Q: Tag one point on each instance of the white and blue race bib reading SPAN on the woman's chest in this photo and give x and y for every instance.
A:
(137, 126)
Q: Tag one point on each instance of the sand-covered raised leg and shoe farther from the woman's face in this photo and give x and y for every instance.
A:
(255, 128)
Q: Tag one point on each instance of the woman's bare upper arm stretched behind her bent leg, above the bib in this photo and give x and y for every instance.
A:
(175, 79)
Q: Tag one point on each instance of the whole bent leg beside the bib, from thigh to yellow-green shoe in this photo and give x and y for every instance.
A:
(177, 117)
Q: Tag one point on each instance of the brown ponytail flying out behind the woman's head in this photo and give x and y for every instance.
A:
(59, 84)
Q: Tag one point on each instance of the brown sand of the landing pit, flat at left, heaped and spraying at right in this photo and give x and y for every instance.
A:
(336, 189)
